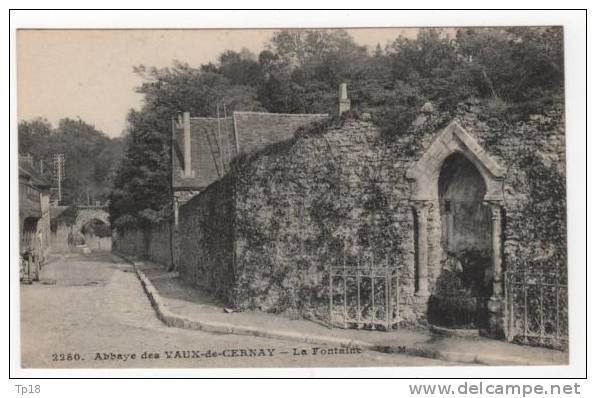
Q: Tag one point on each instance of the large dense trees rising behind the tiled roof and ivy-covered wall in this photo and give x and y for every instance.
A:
(508, 73)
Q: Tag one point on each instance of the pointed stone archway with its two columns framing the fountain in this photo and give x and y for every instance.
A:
(424, 176)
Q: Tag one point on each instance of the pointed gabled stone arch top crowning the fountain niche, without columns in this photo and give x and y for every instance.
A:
(423, 175)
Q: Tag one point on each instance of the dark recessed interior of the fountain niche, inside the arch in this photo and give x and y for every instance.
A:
(462, 290)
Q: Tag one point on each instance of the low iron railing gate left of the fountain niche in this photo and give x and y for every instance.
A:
(364, 296)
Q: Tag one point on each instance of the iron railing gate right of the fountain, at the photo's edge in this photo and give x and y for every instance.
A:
(537, 308)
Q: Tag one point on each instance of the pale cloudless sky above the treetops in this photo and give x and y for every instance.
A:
(88, 74)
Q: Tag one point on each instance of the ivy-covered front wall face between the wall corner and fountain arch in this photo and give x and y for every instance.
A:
(321, 198)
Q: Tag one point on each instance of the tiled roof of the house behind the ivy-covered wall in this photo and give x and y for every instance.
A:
(215, 142)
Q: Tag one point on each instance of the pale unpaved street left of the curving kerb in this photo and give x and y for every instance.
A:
(89, 311)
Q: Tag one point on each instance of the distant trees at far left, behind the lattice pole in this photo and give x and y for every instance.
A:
(90, 157)
